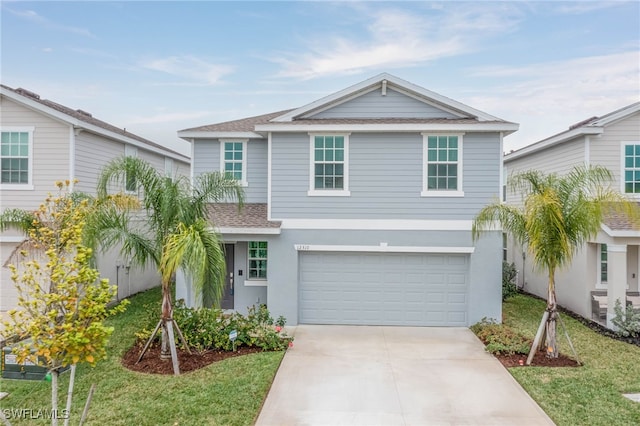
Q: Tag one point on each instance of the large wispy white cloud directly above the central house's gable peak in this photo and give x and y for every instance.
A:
(398, 38)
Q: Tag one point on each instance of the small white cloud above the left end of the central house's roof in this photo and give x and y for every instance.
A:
(195, 70)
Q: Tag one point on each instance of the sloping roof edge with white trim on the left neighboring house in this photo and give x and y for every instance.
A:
(83, 120)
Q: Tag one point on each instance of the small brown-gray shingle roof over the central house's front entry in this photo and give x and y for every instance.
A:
(252, 215)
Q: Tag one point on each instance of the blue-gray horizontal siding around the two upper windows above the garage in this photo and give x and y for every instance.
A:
(385, 173)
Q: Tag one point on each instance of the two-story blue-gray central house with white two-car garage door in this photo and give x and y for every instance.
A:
(359, 208)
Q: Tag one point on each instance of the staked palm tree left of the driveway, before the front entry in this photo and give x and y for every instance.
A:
(174, 233)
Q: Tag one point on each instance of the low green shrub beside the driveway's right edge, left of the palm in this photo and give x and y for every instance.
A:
(500, 339)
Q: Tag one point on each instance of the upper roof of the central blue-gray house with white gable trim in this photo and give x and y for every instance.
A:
(464, 118)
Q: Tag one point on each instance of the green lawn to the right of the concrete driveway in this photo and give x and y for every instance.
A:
(588, 395)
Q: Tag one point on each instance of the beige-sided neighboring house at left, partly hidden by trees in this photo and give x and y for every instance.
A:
(43, 142)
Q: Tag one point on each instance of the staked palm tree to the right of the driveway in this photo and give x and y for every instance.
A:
(559, 214)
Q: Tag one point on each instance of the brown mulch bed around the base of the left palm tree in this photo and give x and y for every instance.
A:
(151, 362)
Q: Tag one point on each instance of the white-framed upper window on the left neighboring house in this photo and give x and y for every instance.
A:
(16, 158)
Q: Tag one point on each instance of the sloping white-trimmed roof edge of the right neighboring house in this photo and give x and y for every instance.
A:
(590, 126)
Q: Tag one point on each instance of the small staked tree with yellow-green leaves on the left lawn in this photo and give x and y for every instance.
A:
(62, 301)
